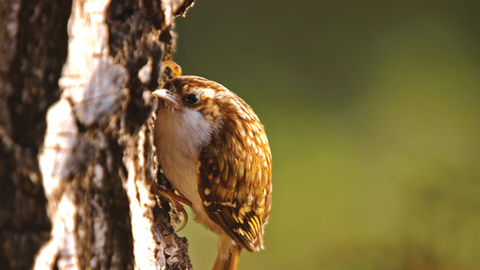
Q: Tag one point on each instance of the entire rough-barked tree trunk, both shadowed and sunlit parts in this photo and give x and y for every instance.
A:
(77, 157)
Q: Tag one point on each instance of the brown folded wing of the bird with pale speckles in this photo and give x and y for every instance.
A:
(234, 173)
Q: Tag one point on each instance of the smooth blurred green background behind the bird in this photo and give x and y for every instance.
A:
(372, 109)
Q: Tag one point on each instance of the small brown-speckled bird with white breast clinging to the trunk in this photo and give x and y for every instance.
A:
(214, 151)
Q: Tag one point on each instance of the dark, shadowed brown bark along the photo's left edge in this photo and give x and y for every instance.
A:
(30, 65)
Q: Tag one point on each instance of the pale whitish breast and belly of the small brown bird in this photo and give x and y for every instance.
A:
(179, 137)
